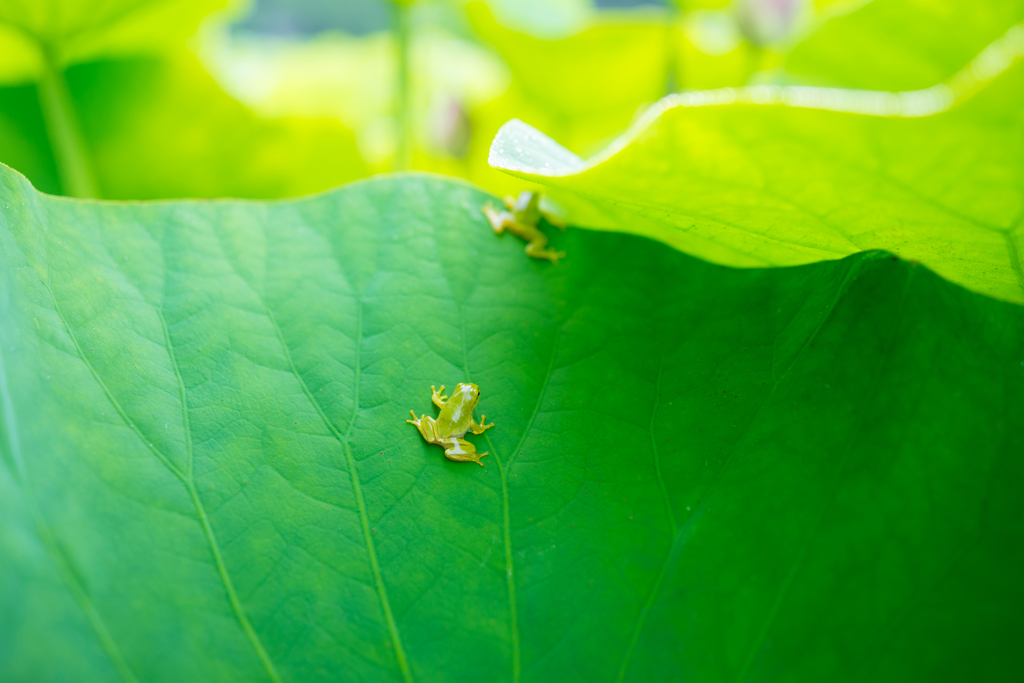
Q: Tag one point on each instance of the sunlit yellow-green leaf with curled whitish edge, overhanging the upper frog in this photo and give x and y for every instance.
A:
(763, 177)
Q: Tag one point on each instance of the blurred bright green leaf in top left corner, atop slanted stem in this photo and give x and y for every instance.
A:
(72, 31)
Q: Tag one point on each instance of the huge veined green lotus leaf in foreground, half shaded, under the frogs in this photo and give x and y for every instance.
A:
(696, 474)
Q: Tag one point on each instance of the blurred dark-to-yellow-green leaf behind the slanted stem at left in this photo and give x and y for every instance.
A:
(162, 127)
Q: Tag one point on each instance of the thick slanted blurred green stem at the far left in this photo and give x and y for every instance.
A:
(69, 149)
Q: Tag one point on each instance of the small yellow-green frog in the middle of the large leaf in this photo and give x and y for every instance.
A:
(453, 423)
